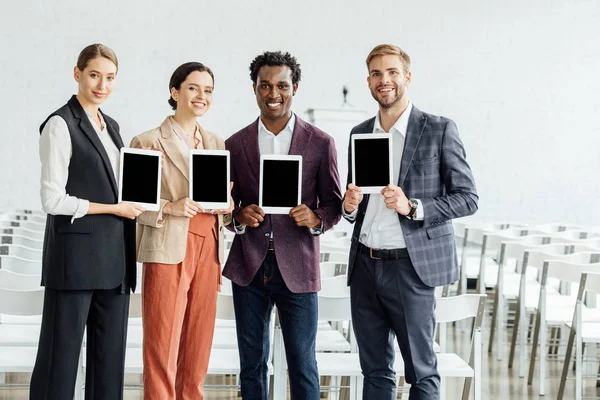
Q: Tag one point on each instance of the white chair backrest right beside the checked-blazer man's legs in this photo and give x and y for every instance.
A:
(456, 308)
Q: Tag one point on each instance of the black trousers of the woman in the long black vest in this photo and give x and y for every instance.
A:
(65, 316)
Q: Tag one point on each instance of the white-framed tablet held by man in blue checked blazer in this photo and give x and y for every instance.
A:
(372, 161)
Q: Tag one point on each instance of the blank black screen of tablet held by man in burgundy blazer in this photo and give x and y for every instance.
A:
(280, 183)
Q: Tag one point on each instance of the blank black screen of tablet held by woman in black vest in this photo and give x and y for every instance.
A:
(140, 182)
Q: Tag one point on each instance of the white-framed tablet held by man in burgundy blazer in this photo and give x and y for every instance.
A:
(280, 183)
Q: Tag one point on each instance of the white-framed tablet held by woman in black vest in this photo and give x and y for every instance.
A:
(139, 177)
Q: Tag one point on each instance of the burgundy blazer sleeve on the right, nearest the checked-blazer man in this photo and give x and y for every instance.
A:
(328, 188)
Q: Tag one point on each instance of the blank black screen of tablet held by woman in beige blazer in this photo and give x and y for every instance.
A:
(210, 178)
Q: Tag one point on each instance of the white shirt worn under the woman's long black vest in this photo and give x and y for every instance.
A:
(55, 155)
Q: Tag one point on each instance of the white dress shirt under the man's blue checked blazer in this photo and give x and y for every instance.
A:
(381, 228)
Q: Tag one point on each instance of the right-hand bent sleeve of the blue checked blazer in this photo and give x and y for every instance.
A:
(460, 198)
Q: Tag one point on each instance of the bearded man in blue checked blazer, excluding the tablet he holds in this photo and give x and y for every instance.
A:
(403, 241)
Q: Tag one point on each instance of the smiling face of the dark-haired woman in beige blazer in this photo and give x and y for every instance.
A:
(194, 95)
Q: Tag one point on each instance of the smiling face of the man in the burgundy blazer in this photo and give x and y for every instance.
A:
(274, 91)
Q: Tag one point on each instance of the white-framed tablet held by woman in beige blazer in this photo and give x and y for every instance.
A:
(209, 178)
